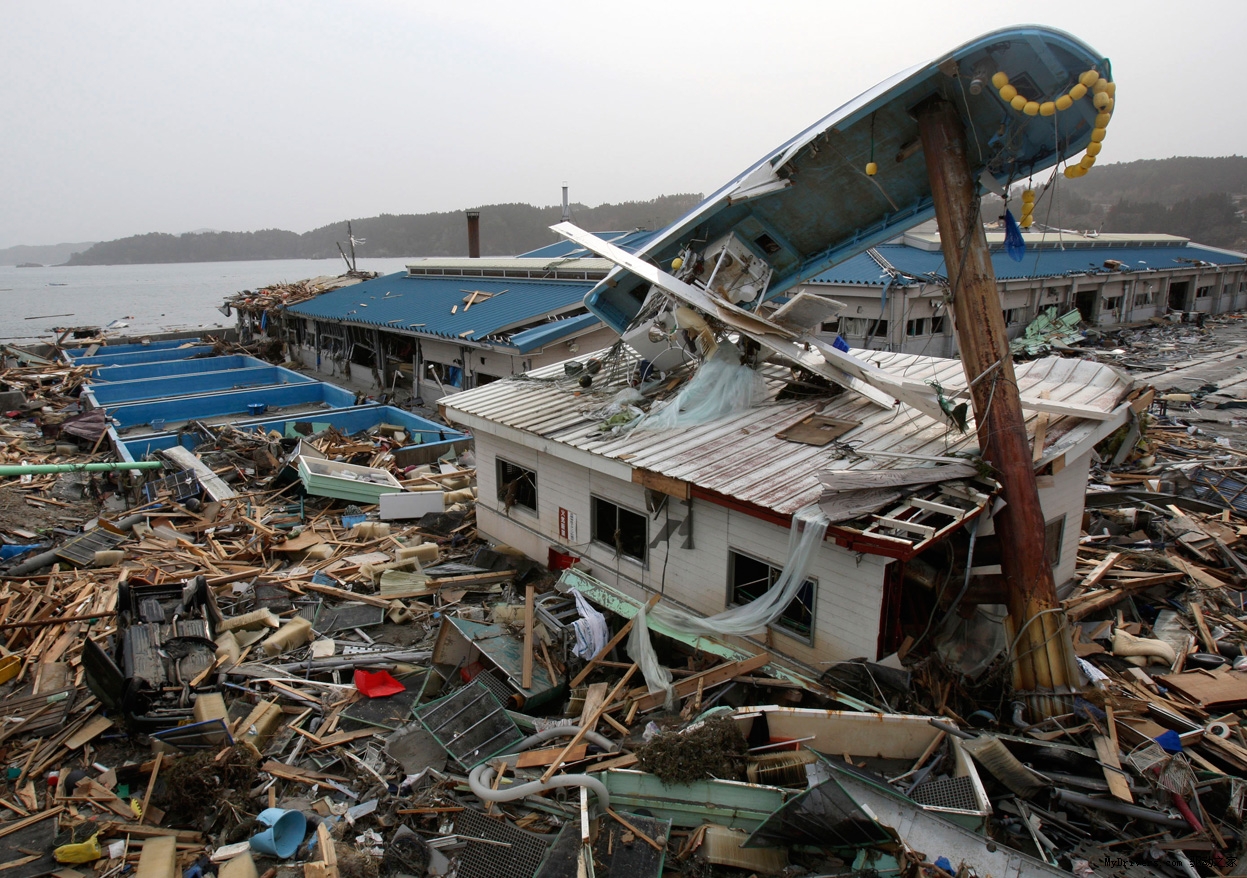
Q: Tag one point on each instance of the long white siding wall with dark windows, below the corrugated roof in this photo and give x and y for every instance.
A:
(850, 589)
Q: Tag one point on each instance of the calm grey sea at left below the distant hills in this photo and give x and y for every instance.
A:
(149, 299)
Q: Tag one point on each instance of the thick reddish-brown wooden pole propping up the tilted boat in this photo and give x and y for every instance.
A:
(1044, 669)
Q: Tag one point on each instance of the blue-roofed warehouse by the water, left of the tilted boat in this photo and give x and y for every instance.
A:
(447, 325)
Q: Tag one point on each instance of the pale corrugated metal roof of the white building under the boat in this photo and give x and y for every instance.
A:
(743, 458)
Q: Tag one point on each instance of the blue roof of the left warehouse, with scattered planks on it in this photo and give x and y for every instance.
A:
(423, 304)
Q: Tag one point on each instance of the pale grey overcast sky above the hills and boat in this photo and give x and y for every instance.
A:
(128, 118)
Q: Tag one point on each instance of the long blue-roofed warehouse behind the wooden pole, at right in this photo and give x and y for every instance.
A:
(897, 294)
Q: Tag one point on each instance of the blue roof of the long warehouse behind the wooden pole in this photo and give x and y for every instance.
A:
(864, 270)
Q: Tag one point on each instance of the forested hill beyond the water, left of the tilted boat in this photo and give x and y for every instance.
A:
(506, 230)
